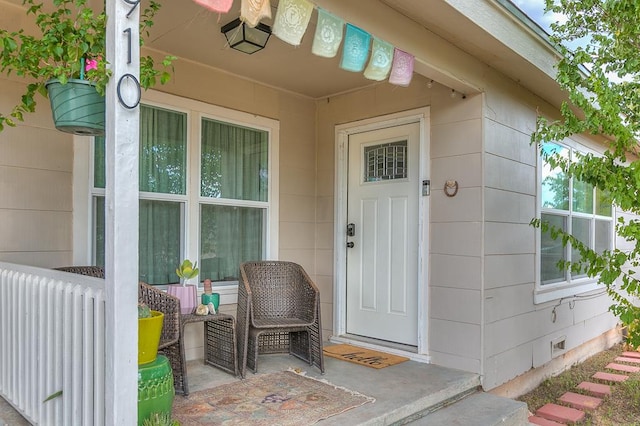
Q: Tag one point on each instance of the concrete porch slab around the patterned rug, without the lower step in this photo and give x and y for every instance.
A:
(399, 391)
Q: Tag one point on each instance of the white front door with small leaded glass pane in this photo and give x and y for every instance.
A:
(382, 270)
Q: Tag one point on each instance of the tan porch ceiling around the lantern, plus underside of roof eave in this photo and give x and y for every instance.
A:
(193, 33)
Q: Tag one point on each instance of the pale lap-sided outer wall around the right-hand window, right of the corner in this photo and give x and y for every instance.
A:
(517, 332)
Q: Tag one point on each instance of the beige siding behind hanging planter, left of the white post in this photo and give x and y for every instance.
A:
(36, 164)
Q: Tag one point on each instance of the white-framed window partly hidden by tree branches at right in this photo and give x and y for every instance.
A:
(577, 208)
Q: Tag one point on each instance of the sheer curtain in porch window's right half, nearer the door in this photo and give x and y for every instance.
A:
(234, 163)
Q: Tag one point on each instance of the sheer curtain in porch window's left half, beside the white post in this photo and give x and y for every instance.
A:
(163, 151)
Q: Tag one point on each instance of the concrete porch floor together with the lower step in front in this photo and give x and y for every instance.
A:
(405, 393)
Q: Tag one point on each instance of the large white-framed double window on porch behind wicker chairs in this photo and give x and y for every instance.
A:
(216, 178)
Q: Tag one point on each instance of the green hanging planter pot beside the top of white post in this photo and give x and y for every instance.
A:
(77, 107)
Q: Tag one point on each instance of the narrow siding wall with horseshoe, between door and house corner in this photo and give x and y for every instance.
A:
(456, 233)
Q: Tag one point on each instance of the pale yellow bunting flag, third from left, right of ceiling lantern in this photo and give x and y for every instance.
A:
(292, 19)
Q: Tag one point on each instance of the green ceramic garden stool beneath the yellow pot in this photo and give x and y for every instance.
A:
(155, 388)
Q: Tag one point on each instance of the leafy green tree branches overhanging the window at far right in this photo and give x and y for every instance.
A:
(601, 79)
